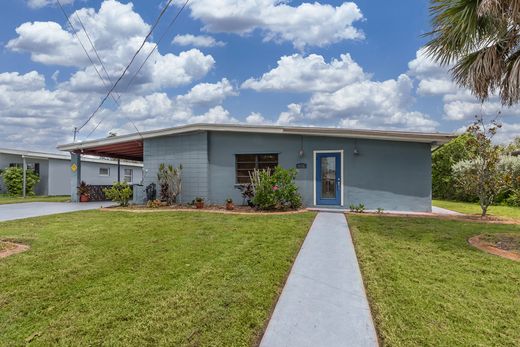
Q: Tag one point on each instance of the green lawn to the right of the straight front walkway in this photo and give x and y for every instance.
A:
(428, 287)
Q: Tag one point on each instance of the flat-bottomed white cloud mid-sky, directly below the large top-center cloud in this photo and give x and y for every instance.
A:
(308, 74)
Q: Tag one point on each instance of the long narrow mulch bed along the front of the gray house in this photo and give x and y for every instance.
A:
(238, 209)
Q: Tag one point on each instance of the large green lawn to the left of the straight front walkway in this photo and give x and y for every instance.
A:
(135, 279)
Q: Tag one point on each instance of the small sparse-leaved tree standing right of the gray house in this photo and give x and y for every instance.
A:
(481, 174)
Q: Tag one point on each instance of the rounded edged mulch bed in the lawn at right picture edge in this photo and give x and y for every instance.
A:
(504, 245)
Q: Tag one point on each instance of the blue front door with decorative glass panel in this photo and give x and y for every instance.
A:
(328, 178)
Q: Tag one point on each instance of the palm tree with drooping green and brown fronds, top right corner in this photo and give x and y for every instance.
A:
(481, 38)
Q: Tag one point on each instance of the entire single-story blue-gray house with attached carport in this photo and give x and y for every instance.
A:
(336, 167)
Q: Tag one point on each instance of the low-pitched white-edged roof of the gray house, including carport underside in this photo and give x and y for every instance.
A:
(131, 146)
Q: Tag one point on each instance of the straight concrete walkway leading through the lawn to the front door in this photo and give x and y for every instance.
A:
(323, 302)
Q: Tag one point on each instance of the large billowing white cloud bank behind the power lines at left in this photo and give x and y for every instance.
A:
(33, 115)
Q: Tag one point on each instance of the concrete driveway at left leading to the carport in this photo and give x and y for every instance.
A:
(36, 209)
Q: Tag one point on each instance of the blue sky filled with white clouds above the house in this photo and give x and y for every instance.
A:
(329, 63)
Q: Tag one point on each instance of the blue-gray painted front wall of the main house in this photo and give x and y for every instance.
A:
(385, 174)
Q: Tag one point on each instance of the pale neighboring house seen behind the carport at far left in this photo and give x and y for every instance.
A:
(54, 170)
